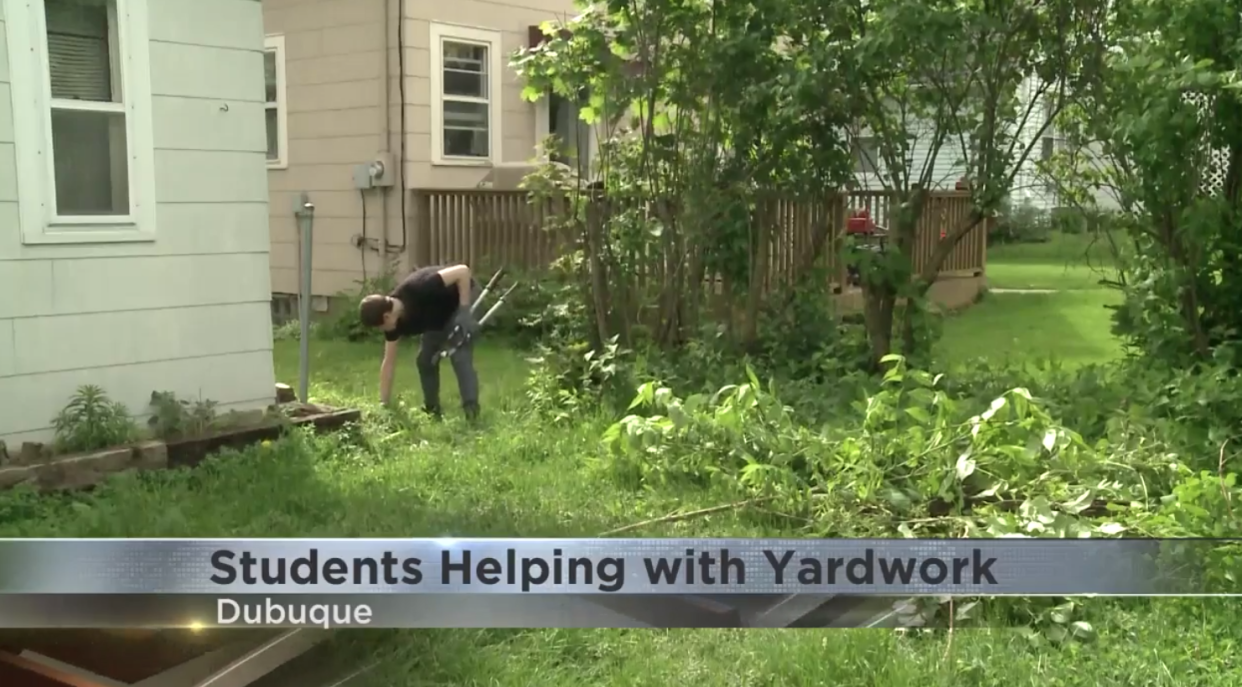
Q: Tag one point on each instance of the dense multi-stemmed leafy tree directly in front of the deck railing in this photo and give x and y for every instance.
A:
(701, 115)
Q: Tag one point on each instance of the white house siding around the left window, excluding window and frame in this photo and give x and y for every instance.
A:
(187, 312)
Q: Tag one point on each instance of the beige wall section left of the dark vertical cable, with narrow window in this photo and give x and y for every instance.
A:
(331, 60)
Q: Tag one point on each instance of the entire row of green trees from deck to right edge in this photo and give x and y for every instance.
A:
(705, 110)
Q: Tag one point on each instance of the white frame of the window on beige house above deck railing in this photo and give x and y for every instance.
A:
(442, 33)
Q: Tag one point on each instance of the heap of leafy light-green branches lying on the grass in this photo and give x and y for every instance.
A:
(923, 458)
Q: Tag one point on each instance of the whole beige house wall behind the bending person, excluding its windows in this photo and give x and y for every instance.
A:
(340, 55)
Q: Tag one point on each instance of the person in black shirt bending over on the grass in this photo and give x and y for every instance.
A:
(435, 304)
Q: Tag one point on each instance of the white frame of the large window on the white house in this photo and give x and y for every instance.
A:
(33, 126)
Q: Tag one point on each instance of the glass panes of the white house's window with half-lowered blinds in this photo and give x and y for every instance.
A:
(90, 150)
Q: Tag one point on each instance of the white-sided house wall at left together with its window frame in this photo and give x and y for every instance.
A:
(176, 298)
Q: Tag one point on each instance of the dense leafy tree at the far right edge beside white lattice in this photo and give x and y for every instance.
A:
(1163, 134)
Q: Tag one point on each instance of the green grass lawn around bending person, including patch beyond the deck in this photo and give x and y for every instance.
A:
(517, 476)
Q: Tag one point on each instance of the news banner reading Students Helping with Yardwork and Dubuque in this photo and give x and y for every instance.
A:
(558, 583)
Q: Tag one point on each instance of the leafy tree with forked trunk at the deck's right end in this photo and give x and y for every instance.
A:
(966, 89)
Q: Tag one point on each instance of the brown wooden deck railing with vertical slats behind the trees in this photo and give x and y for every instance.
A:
(492, 228)
